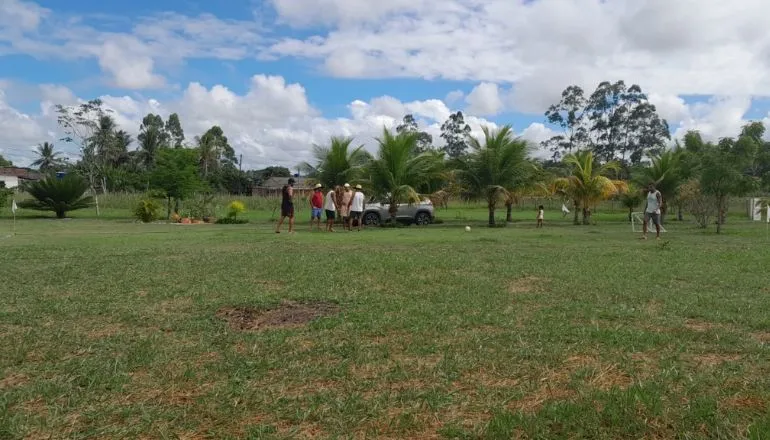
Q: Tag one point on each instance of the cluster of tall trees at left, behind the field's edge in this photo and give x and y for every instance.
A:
(111, 160)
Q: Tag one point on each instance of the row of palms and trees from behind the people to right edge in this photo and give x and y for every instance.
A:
(696, 176)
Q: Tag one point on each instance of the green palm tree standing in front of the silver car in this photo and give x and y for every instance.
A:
(397, 171)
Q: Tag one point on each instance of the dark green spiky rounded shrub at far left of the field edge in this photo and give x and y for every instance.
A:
(58, 195)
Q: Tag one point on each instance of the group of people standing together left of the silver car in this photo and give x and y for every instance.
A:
(342, 201)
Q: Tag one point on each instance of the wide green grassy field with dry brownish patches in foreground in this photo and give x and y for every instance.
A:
(109, 329)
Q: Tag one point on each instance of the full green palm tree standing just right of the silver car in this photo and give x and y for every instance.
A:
(496, 166)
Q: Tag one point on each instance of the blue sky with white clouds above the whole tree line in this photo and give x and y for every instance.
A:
(280, 75)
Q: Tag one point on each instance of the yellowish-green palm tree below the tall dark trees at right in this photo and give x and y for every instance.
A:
(588, 184)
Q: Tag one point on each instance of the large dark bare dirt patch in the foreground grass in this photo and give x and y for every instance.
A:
(288, 314)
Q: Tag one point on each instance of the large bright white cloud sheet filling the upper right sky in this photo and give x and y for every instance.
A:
(544, 45)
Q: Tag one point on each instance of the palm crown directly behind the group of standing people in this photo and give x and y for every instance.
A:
(337, 163)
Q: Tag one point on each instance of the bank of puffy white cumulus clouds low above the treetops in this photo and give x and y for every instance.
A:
(273, 123)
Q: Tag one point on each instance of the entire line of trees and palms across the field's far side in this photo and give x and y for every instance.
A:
(611, 144)
